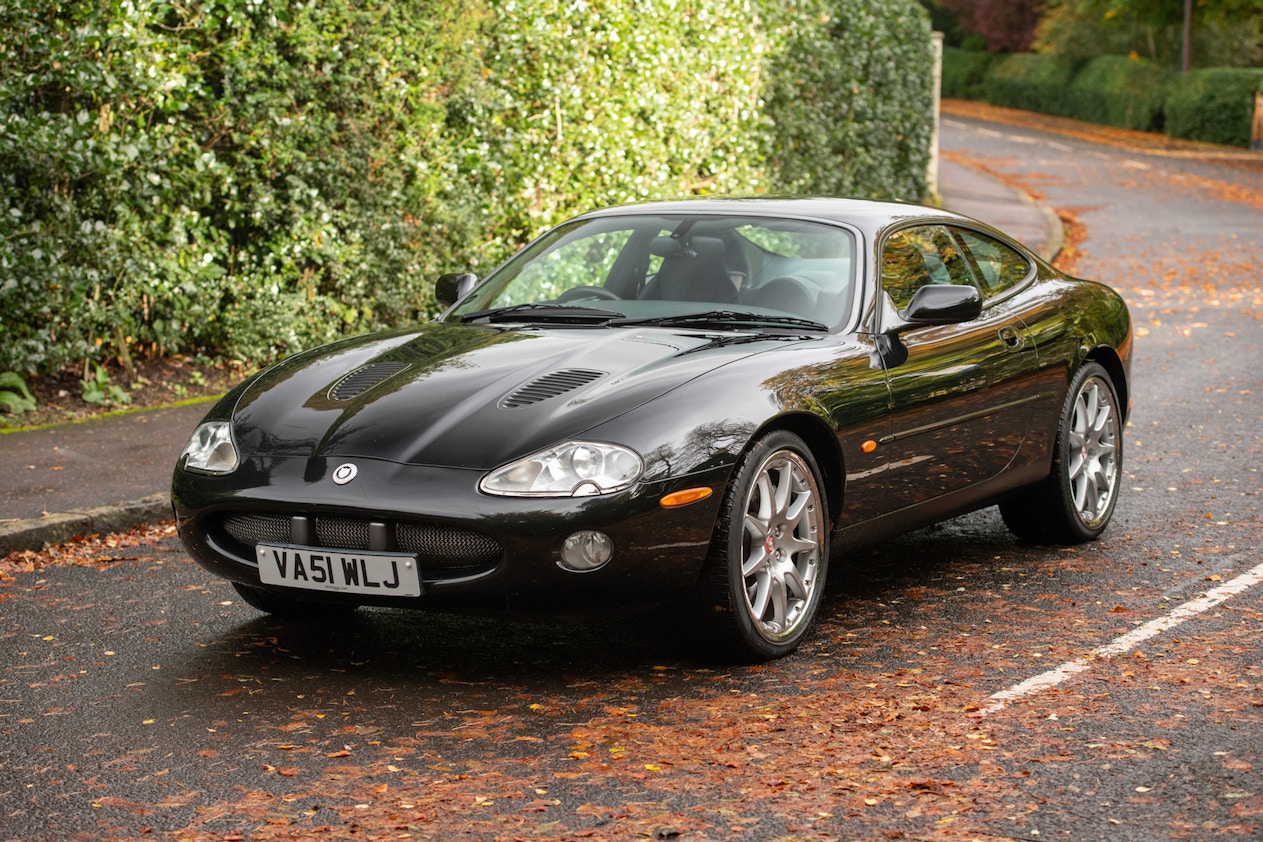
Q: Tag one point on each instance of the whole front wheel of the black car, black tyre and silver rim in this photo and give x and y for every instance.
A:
(766, 574)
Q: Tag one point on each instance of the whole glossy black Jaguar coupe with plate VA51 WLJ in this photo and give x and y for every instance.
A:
(697, 405)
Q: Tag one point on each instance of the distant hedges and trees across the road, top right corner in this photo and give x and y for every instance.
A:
(1121, 64)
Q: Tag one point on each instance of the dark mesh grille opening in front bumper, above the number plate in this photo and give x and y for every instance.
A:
(439, 547)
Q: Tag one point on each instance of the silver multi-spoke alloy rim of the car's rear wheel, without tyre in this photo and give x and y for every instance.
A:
(1093, 451)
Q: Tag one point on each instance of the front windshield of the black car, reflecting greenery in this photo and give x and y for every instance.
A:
(750, 272)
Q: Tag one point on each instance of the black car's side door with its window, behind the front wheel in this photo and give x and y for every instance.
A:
(963, 397)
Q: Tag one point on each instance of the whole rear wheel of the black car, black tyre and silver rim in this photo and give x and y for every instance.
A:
(1075, 503)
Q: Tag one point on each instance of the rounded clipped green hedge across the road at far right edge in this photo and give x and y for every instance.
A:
(1214, 105)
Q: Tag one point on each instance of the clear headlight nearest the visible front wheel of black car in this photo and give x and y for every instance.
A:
(570, 470)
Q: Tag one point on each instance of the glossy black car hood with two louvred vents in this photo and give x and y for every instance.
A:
(468, 397)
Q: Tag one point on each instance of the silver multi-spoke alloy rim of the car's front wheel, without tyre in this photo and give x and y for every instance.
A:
(782, 546)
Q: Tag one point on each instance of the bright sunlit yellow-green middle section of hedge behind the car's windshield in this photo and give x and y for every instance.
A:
(598, 104)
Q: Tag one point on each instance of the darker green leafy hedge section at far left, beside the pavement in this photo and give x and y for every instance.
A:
(232, 177)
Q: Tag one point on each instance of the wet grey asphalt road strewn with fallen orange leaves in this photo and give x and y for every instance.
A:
(141, 700)
